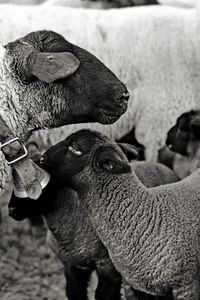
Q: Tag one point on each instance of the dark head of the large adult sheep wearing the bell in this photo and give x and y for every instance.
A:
(67, 83)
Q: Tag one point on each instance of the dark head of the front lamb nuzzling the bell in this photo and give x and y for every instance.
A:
(84, 149)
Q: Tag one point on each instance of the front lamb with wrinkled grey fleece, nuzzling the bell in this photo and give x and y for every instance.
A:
(151, 234)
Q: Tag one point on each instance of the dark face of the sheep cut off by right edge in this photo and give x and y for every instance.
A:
(184, 137)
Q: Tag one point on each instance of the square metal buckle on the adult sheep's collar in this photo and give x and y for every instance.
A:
(11, 159)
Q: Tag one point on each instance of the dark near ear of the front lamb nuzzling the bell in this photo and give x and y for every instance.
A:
(108, 159)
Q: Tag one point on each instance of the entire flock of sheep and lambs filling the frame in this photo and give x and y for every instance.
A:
(135, 223)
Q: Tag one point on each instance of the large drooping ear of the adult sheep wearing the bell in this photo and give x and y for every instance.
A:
(49, 66)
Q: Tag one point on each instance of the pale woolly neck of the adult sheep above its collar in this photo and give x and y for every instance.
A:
(22, 107)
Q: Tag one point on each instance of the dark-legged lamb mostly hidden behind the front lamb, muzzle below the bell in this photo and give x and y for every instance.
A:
(78, 247)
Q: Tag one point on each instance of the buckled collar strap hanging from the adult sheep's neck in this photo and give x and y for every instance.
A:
(16, 155)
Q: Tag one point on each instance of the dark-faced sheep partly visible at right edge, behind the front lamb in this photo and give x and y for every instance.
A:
(183, 139)
